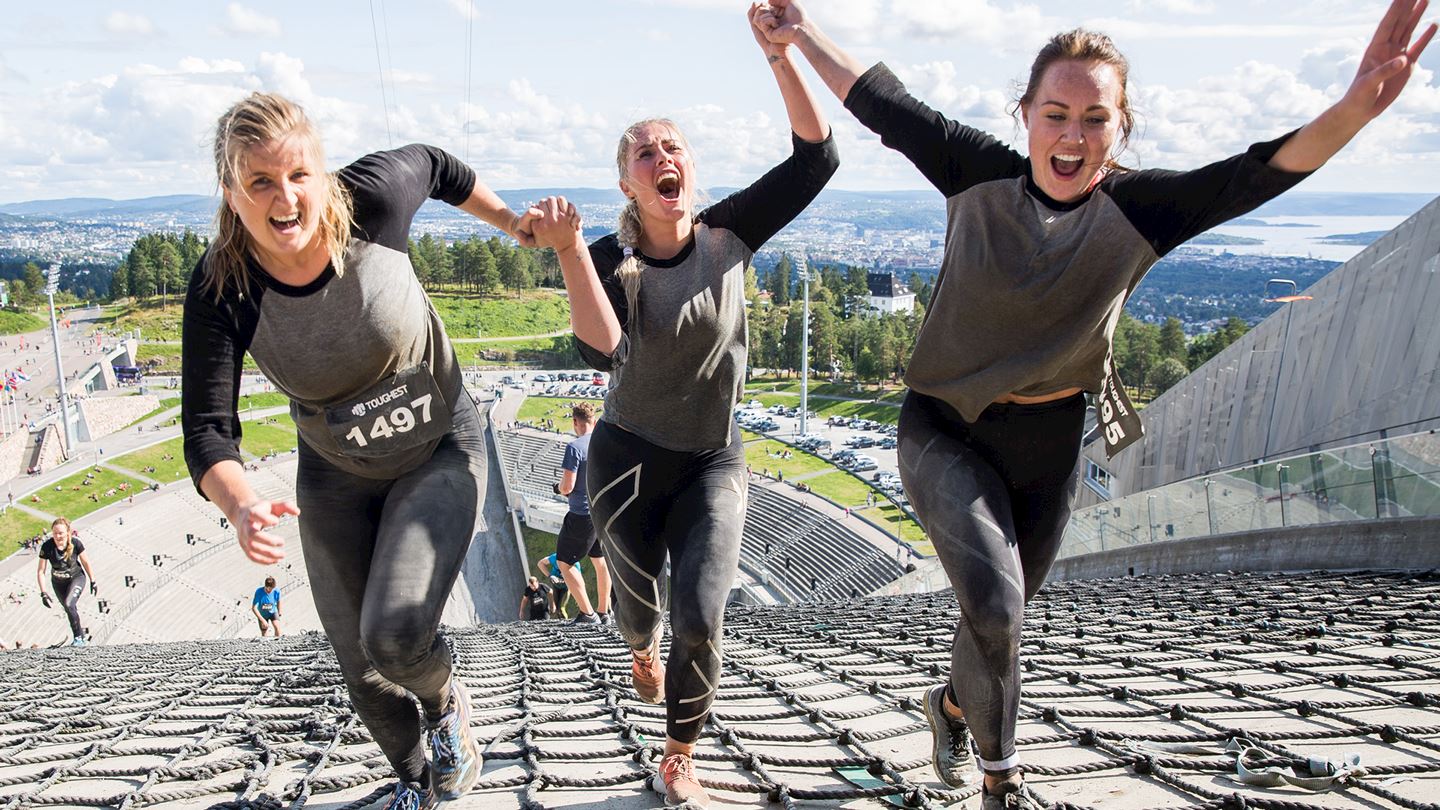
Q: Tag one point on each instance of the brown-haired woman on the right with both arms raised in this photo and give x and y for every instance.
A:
(1040, 256)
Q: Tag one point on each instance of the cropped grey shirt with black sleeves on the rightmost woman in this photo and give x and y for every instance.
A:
(1030, 289)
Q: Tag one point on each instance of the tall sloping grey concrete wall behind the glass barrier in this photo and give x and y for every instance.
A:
(1359, 360)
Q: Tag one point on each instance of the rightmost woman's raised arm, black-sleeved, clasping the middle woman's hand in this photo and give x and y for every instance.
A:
(950, 155)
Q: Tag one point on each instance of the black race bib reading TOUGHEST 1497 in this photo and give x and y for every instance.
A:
(402, 413)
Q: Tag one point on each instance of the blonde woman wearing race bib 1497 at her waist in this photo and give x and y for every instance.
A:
(309, 273)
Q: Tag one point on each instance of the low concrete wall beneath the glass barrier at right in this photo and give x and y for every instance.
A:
(1398, 543)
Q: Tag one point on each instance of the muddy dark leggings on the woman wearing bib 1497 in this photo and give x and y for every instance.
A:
(382, 557)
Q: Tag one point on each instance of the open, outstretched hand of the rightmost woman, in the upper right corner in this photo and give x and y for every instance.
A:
(1389, 61)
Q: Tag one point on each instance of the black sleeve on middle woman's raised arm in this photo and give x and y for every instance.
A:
(770, 204)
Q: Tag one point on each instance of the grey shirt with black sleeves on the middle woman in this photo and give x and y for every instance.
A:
(680, 365)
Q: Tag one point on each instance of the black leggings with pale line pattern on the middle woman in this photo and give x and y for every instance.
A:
(646, 502)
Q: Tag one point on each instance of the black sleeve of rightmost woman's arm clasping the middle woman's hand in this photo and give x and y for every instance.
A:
(951, 156)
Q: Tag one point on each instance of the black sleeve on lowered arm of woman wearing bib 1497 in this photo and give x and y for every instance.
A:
(215, 337)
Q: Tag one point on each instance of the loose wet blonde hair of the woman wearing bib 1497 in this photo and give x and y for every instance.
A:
(253, 122)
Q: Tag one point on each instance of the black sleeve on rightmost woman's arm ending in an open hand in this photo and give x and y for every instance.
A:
(1171, 208)
